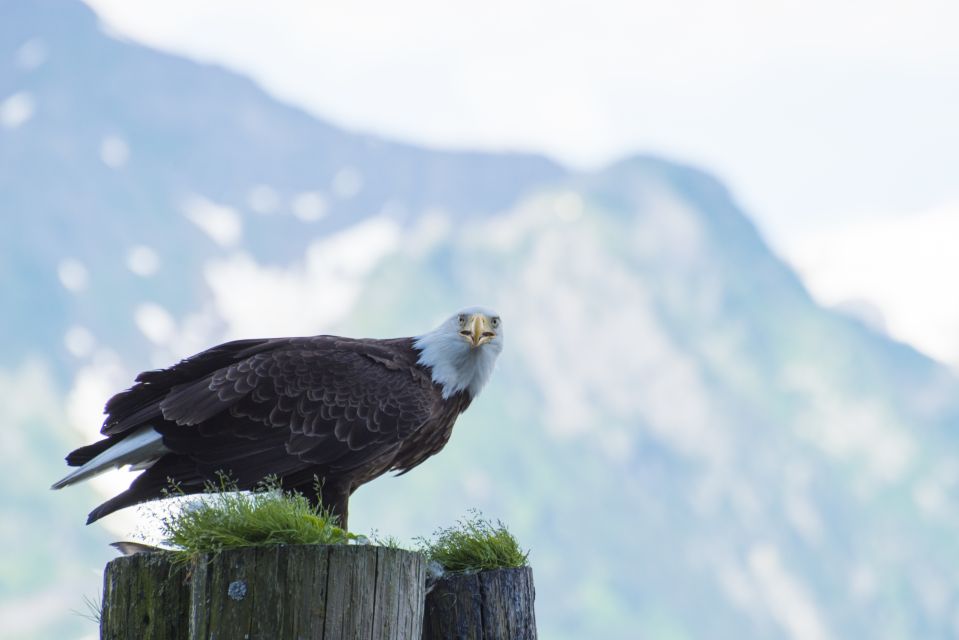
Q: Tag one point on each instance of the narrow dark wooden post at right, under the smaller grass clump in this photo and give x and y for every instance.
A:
(489, 605)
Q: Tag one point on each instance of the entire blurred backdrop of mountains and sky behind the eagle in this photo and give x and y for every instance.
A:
(721, 236)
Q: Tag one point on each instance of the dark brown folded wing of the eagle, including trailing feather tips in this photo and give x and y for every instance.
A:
(297, 408)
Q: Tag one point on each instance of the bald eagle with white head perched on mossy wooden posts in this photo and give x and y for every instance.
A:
(342, 411)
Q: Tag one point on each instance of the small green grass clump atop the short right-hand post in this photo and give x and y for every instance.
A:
(474, 544)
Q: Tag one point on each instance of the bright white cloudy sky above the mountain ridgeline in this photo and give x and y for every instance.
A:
(826, 118)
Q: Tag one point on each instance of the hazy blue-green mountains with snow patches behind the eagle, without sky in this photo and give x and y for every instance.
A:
(688, 444)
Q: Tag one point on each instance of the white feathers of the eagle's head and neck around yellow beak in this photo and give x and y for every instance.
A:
(456, 363)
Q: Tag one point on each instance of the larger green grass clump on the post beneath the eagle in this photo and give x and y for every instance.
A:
(224, 518)
